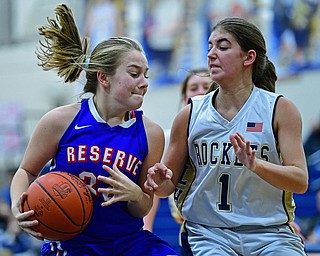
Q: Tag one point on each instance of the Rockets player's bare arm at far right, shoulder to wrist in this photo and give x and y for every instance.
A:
(293, 175)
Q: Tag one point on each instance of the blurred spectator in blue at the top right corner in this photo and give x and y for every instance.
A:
(291, 31)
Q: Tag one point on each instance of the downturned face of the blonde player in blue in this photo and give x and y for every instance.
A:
(129, 84)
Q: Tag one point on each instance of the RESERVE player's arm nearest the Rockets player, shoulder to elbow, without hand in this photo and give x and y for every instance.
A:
(155, 137)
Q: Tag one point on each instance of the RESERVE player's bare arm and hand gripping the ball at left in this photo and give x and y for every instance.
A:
(40, 150)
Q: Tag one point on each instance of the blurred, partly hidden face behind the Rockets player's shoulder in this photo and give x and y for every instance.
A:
(197, 85)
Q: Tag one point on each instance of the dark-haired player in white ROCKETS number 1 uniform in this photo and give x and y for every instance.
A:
(235, 155)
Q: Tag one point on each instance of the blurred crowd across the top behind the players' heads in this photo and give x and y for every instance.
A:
(291, 28)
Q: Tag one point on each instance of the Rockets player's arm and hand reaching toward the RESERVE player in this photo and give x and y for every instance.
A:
(163, 177)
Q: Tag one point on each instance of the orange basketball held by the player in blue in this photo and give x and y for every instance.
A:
(62, 203)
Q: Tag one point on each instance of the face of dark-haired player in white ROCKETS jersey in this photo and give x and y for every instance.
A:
(225, 57)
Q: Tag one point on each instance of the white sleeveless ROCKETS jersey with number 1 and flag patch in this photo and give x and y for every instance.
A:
(215, 189)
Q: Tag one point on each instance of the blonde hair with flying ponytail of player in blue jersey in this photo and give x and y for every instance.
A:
(63, 50)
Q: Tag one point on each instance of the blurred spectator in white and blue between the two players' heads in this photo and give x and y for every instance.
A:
(164, 20)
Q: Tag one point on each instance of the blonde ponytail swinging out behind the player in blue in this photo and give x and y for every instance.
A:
(62, 48)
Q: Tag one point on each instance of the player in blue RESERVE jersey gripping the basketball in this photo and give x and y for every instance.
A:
(103, 139)
